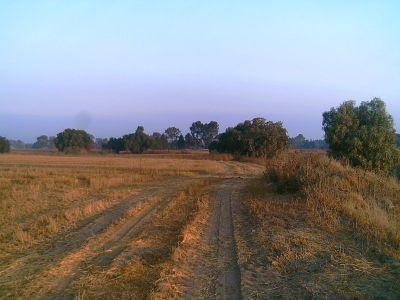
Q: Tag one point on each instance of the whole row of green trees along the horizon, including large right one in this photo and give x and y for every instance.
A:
(362, 136)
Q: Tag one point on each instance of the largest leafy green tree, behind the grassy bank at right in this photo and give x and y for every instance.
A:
(362, 135)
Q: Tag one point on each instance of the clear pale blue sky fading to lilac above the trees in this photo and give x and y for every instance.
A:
(109, 66)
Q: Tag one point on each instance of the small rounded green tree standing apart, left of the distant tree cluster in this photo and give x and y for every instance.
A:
(73, 140)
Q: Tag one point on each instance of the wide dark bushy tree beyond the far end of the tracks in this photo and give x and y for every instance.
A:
(256, 138)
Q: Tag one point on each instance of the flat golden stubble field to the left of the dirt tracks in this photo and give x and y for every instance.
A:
(42, 195)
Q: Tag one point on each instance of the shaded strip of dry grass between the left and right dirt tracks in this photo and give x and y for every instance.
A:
(136, 278)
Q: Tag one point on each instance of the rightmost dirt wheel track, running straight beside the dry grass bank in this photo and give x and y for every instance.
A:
(214, 273)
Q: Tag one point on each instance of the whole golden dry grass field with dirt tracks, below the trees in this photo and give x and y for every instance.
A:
(195, 226)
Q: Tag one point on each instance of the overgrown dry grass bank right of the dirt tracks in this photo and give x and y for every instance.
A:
(322, 230)
